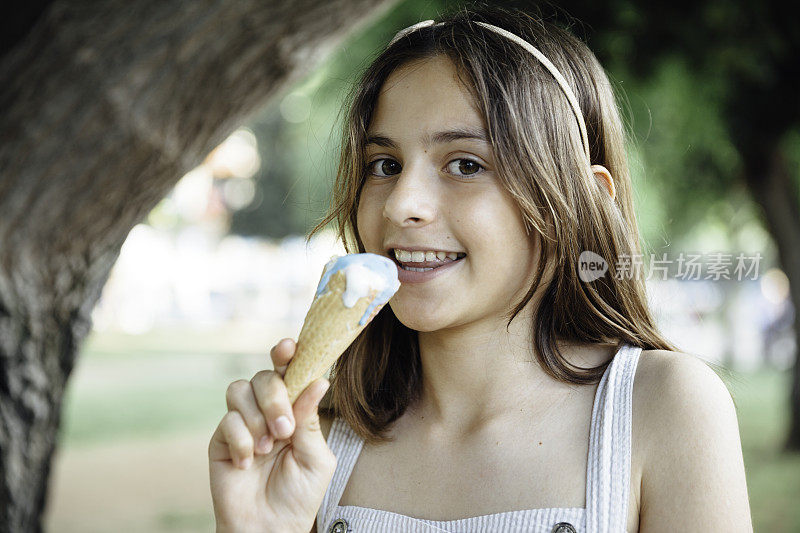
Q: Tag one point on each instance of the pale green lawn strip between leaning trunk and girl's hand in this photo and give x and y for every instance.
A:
(128, 386)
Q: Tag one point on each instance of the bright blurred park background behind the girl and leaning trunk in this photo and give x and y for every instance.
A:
(219, 271)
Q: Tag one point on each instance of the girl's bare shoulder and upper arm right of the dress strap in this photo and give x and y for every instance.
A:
(692, 471)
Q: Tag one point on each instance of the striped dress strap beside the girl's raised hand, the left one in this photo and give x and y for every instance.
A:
(345, 445)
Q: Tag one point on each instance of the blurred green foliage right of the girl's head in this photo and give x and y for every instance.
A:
(685, 169)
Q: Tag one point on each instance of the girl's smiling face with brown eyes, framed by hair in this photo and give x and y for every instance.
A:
(429, 189)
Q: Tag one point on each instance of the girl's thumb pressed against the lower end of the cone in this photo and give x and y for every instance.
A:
(308, 442)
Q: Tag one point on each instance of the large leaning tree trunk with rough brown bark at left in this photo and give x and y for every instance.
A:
(104, 105)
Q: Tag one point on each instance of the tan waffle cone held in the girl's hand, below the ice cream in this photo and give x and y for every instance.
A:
(329, 328)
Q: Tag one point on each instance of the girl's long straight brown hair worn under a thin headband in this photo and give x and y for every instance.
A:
(540, 159)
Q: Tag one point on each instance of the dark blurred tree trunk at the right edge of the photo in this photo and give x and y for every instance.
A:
(769, 178)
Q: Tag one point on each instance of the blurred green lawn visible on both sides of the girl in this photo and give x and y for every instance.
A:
(128, 388)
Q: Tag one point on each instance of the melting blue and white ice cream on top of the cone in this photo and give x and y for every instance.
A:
(364, 273)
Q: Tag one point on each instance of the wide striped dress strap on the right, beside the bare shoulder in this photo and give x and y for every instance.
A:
(609, 462)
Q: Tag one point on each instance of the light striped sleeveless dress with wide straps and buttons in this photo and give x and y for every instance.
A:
(607, 476)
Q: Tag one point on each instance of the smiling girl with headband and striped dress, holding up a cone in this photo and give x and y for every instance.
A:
(502, 389)
